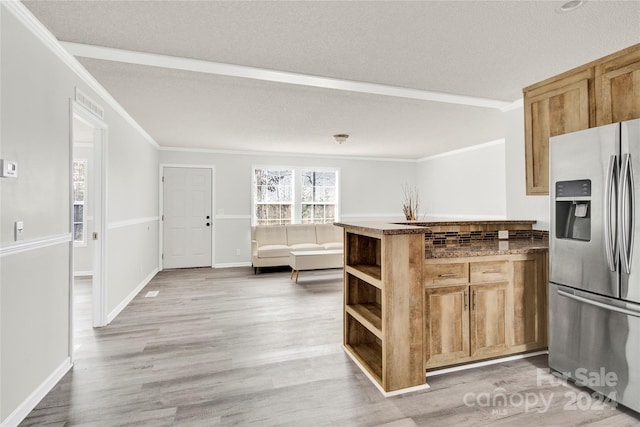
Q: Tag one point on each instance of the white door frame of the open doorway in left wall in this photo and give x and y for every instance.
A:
(99, 197)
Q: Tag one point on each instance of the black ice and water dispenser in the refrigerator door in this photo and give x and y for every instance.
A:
(573, 210)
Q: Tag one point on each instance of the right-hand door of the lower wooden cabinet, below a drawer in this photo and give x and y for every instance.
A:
(488, 319)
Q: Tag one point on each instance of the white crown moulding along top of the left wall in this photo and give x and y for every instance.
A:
(25, 16)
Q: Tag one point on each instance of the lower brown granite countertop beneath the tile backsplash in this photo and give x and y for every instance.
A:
(486, 248)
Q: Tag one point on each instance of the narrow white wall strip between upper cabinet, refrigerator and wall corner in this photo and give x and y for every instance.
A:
(519, 205)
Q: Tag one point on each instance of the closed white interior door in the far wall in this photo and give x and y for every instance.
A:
(187, 222)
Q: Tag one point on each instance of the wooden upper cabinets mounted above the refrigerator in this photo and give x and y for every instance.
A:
(601, 92)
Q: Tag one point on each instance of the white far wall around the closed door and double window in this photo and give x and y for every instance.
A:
(369, 190)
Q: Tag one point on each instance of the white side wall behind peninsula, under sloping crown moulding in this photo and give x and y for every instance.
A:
(466, 183)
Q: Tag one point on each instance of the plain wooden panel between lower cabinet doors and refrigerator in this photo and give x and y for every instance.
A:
(528, 304)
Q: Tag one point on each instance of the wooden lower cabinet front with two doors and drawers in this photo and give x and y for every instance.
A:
(501, 311)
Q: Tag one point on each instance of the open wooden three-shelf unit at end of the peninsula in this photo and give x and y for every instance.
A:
(382, 284)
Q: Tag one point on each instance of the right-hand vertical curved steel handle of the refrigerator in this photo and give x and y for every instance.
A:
(626, 213)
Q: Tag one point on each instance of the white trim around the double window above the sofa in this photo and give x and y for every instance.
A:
(297, 189)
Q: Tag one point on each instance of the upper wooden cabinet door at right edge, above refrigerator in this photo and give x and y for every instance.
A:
(618, 87)
